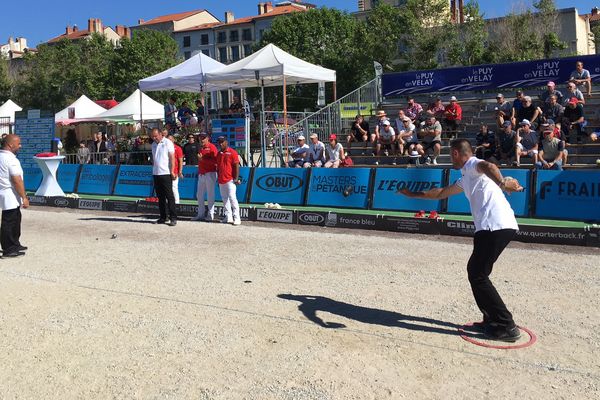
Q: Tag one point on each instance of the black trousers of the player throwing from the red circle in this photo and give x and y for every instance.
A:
(487, 247)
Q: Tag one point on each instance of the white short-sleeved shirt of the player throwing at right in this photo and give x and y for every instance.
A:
(491, 211)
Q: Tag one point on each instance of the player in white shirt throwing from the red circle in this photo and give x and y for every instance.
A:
(495, 226)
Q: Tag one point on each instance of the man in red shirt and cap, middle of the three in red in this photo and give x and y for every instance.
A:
(207, 178)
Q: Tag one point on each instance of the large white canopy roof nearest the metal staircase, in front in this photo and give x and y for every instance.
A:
(271, 64)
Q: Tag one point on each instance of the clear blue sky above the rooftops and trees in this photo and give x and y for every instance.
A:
(46, 19)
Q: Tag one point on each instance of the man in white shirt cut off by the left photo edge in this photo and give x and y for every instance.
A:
(12, 197)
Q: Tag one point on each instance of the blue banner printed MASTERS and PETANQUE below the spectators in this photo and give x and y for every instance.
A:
(339, 187)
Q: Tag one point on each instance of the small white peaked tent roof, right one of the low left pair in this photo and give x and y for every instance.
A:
(129, 109)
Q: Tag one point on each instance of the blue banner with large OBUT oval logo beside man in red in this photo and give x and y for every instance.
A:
(279, 185)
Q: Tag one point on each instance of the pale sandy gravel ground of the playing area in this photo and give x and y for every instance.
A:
(208, 311)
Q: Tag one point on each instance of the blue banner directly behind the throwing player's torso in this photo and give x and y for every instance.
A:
(519, 202)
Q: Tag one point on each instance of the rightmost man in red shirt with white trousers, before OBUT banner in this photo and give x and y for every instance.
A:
(228, 170)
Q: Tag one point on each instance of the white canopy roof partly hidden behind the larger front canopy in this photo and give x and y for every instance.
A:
(188, 76)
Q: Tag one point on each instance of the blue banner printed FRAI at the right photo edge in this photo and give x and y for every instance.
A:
(568, 195)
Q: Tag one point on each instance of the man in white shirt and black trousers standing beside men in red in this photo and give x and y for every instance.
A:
(164, 173)
